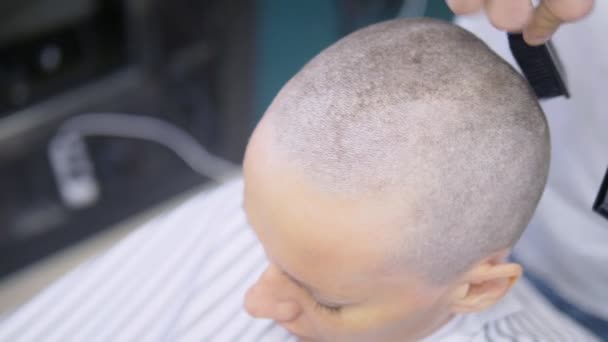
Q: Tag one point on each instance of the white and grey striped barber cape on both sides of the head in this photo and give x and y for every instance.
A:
(182, 277)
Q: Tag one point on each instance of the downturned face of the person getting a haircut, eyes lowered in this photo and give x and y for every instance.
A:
(327, 278)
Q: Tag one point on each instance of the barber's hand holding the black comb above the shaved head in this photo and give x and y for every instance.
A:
(537, 24)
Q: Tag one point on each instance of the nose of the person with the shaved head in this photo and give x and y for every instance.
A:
(270, 298)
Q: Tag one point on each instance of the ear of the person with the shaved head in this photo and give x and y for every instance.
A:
(485, 285)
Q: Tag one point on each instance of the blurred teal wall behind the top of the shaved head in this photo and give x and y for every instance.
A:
(291, 32)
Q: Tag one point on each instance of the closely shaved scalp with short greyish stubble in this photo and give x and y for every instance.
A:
(425, 112)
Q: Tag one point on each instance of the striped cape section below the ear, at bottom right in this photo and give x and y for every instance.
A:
(536, 320)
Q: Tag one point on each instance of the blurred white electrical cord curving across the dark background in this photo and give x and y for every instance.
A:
(73, 168)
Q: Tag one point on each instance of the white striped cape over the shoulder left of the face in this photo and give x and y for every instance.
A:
(166, 276)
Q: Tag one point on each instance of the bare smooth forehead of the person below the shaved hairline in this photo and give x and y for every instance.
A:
(333, 243)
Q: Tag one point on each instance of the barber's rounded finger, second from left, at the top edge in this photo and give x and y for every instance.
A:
(510, 15)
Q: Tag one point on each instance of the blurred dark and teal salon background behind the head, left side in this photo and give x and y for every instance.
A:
(112, 111)
